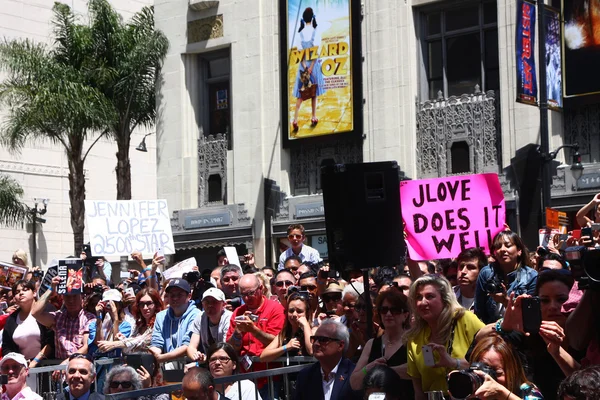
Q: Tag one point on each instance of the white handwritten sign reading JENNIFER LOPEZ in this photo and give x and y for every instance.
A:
(120, 227)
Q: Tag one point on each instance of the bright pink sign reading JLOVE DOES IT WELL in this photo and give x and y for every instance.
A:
(444, 216)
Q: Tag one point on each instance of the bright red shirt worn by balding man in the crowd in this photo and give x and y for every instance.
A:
(271, 317)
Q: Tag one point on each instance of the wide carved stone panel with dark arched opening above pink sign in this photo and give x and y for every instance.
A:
(471, 118)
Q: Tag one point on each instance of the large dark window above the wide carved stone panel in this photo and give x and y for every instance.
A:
(460, 49)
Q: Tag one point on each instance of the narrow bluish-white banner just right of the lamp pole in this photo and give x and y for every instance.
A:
(553, 58)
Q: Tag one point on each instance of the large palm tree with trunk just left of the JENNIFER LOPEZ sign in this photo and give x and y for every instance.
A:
(48, 98)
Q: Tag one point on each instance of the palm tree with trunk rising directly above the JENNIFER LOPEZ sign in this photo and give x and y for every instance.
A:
(127, 61)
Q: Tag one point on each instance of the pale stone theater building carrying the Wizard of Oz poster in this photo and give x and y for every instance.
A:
(430, 84)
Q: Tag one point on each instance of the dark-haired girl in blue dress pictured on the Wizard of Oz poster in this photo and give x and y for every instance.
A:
(310, 75)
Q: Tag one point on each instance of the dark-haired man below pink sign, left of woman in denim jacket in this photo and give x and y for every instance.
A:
(470, 261)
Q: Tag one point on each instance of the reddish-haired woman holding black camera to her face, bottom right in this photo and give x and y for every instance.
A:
(494, 357)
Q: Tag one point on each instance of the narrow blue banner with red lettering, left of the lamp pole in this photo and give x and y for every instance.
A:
(525, 46)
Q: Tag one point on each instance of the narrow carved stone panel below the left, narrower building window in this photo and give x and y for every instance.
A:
(212, 160)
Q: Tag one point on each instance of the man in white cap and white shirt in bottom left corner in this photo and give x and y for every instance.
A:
(15, 366)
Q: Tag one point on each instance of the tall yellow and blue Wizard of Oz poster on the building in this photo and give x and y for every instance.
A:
(319, 68)
